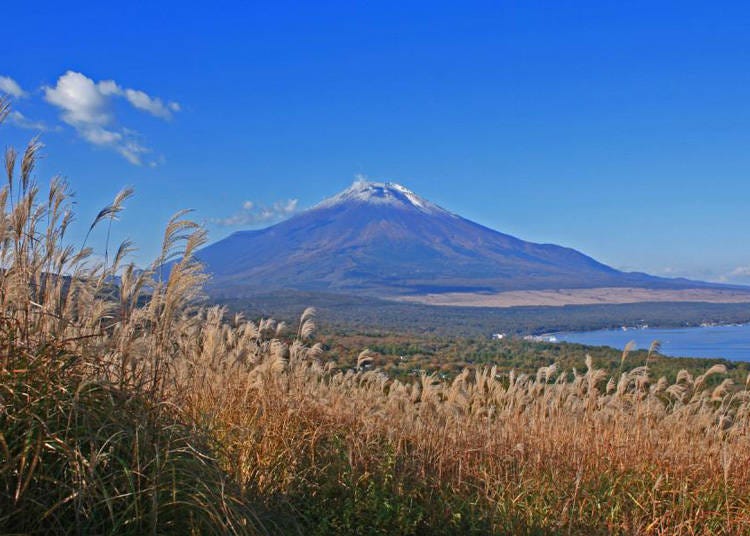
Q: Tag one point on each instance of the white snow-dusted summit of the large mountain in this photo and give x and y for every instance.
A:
(381, 193)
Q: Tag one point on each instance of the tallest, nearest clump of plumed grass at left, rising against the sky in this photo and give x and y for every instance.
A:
(91, 441)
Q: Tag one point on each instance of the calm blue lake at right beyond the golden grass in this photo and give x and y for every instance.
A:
(730, 342)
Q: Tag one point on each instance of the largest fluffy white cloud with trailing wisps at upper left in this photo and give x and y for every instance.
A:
(86, 106)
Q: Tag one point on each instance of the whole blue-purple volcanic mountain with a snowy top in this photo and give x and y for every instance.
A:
(382, 239)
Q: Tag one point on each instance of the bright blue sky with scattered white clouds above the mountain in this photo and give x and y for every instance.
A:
(619, 128)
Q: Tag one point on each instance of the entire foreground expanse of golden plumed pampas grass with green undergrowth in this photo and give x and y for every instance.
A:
(128, 408)
